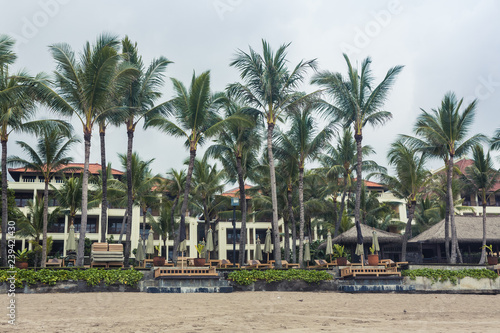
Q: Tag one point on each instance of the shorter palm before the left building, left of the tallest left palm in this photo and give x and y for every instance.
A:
(49, 158)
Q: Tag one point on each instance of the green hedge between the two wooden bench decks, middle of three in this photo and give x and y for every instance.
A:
(246, 277)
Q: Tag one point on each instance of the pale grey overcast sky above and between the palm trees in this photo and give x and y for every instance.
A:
(444, 46)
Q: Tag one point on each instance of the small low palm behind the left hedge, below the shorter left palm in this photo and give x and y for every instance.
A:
(31, 225)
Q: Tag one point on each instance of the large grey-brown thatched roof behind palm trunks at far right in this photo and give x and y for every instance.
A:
(469, 230)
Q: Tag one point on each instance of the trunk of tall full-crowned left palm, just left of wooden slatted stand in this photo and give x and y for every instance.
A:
(85, 190)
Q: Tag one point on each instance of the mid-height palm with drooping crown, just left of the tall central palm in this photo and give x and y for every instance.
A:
(236, 148)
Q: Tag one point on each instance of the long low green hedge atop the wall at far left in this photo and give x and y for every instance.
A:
(92, 276)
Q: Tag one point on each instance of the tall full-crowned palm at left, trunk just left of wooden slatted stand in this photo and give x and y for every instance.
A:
(84, 89)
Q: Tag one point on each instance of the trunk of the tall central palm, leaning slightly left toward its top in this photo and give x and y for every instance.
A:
(274, 199)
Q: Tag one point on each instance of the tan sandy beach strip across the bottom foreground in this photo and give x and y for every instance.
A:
(253, 311)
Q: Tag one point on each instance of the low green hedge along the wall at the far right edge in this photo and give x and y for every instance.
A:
(443, 275)
